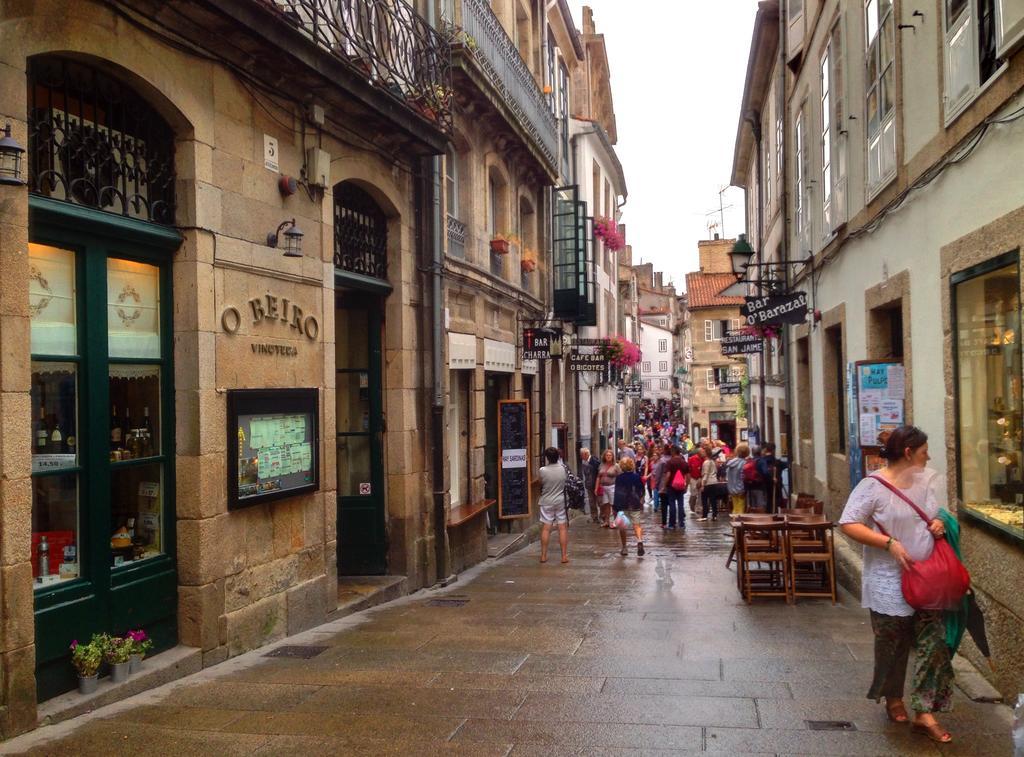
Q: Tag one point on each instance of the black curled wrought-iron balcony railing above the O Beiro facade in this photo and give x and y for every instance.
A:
(388, 43)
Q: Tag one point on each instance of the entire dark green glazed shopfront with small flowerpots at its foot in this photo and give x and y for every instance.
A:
(103, 491)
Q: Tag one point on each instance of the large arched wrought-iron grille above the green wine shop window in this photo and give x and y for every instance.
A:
(95, 142)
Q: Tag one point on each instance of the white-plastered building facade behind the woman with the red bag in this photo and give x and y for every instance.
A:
(900, 136)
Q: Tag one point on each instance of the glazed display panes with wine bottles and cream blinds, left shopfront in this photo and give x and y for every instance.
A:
(99, 462)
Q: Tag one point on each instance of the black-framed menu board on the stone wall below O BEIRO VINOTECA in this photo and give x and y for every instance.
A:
(273, 444)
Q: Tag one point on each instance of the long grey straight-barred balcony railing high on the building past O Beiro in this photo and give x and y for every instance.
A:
(498, 56)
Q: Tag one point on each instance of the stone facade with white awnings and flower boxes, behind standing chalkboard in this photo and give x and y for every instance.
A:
(510, 146)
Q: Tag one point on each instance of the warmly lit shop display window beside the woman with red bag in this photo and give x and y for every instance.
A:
(989, 367)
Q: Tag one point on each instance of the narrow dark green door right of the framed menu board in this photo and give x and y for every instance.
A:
(362, 516)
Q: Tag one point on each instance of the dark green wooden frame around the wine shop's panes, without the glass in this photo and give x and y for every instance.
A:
(104, 598)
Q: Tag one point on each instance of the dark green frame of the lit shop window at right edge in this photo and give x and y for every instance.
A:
(966, 511)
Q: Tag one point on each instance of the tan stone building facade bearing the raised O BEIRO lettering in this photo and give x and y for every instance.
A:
(140, 278)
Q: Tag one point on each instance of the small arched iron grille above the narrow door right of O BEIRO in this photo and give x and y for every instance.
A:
(360, 233)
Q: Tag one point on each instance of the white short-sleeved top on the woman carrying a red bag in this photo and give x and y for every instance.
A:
(872, 503)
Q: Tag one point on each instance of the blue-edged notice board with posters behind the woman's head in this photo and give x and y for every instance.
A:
(881, 394)
